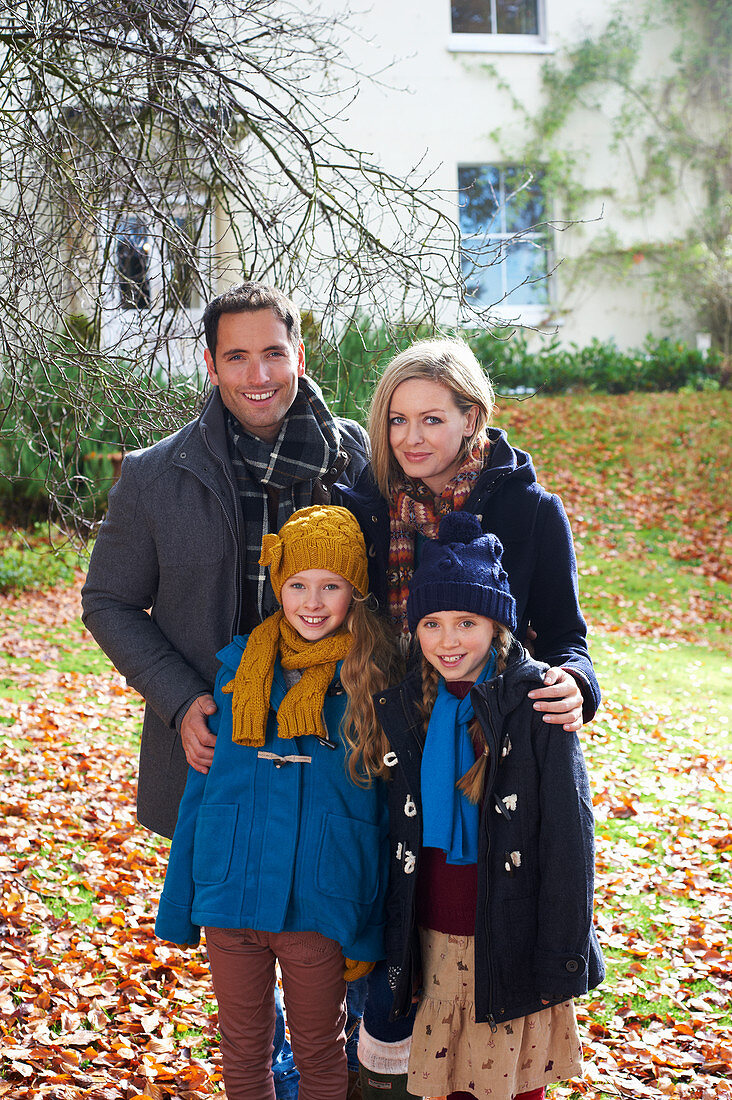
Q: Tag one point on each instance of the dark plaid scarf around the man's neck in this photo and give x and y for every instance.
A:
(308, 446)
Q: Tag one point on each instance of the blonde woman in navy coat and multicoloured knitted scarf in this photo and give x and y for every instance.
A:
(434, 454)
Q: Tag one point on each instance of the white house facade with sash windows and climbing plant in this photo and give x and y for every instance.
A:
(562, 235)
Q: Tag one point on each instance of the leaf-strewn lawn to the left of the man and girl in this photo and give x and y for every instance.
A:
(91, 1005)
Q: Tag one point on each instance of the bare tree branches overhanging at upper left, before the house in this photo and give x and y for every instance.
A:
(148, 148)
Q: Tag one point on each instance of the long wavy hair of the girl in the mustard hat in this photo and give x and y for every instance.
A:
(373, 664)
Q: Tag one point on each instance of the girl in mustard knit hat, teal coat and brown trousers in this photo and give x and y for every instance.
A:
(281, 850)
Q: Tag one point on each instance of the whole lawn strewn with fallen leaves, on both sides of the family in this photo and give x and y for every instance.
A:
(93, 1006)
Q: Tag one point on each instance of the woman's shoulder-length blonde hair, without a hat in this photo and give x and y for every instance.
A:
(452, 365)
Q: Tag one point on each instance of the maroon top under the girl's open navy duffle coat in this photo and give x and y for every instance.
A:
(447, 894)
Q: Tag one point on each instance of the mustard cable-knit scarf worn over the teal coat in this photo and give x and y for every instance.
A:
(301, 711)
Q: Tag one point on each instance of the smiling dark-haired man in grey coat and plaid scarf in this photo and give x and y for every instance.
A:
(176, 569)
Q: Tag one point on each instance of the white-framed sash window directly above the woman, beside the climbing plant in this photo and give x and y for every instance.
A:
(506, 248)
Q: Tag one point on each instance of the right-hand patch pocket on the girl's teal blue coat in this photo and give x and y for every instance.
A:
(348, 860)
